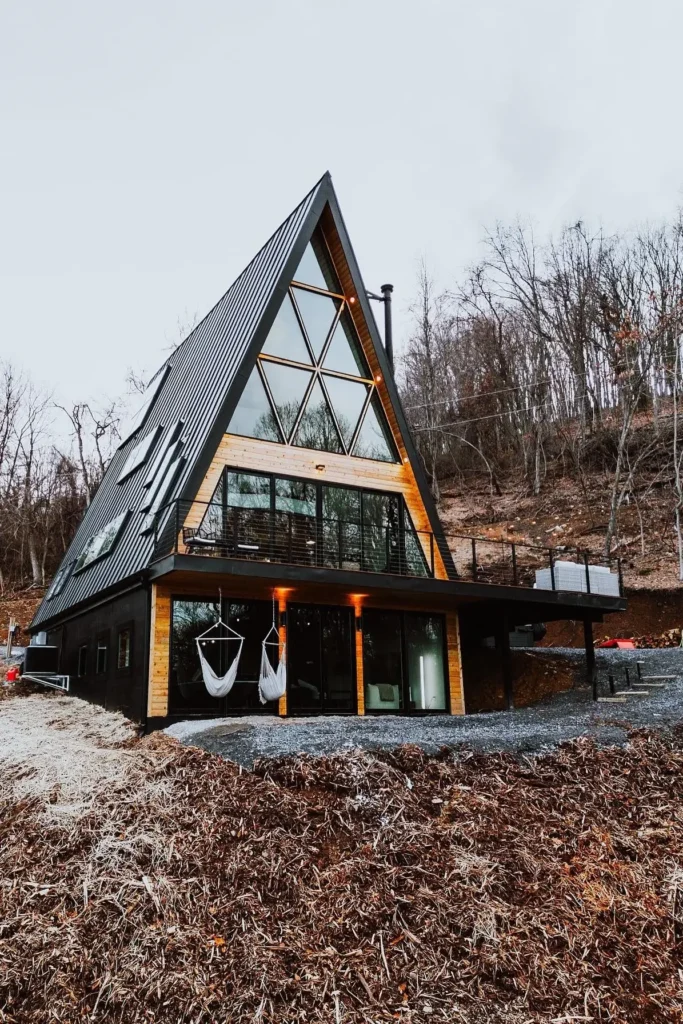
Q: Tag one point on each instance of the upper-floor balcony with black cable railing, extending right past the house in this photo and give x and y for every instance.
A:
(266, 535)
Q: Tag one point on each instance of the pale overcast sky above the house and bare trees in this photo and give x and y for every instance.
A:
(149, 149)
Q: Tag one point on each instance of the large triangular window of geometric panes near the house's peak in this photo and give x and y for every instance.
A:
(312, 386)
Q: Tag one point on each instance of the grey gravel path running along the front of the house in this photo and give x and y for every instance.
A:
(540, 728)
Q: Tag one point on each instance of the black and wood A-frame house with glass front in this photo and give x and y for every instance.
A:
(271, 477)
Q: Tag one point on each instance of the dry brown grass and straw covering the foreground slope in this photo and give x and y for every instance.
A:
(352, 889)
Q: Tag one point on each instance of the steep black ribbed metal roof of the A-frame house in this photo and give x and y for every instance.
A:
(203, 385)
